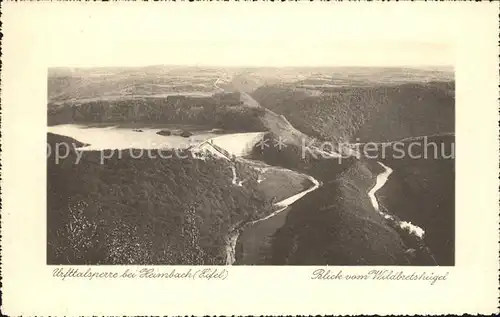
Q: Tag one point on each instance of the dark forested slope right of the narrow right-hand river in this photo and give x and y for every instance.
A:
(422, 190)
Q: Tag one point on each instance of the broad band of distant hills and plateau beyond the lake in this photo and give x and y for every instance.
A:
(345, 104)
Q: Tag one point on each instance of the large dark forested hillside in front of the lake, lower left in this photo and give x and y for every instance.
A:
(144, 210)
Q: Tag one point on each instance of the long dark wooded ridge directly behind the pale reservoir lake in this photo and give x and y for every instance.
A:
(219, 111)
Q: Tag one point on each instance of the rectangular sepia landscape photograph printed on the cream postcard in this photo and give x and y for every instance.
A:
(192, 165)
